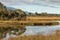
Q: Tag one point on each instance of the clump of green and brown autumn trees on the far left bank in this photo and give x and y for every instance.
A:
(7, 14)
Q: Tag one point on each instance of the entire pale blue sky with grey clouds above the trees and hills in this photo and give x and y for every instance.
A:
(50, 6)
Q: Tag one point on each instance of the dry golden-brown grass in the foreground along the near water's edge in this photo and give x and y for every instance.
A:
(39, 37)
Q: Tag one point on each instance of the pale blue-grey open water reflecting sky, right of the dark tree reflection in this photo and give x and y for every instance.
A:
(32, 30)
